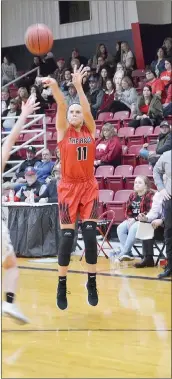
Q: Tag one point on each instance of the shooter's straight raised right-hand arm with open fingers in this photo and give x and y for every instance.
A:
(77, 77)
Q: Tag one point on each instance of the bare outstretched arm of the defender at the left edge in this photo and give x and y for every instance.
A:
(27, 109)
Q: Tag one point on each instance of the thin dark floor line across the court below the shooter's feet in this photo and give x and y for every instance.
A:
(85, 330)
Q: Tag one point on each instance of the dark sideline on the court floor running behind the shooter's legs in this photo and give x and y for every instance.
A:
(98, 273)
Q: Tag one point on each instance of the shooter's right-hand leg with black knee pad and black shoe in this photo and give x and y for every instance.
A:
(89, 236)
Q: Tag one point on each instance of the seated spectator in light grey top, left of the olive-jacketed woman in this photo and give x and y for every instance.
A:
(128, 96)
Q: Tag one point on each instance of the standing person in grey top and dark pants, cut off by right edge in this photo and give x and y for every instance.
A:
(163, 166)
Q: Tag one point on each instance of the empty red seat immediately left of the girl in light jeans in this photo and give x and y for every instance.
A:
(118, 205)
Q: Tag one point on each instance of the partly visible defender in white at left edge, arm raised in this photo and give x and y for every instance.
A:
(9, 264)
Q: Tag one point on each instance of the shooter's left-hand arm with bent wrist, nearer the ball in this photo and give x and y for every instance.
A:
(61, 122)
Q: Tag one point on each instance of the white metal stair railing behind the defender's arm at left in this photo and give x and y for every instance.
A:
(41, 131)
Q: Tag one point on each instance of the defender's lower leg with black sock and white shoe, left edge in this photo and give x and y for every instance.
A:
(10, 279)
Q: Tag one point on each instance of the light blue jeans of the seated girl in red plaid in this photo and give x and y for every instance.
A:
(127, 236)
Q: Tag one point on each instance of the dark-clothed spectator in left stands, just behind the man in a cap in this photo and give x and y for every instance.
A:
(30, 161)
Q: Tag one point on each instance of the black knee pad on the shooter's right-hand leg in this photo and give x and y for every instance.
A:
(89, 236)
